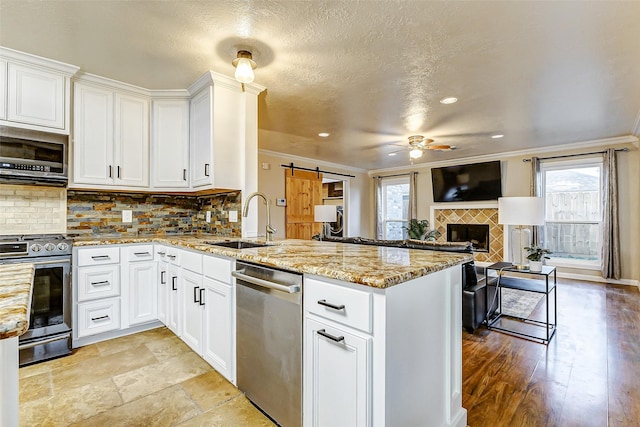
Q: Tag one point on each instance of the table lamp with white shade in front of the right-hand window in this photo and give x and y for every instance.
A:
(520, 211)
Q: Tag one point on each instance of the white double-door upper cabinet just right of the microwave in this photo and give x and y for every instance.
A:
(111, 137)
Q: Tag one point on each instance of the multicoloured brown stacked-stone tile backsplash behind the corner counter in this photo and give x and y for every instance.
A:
(91, 212)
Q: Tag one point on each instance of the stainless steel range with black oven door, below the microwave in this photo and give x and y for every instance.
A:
(49, 333)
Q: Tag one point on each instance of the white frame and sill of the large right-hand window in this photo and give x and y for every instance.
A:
(565, 164)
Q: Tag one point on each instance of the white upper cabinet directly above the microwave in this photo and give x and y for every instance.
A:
(35, 92)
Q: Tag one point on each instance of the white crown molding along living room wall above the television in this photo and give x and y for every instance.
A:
(595, 143)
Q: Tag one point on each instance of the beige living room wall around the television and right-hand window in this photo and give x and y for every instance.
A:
(516, 182)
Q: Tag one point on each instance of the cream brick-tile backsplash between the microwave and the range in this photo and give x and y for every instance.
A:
(26, 209)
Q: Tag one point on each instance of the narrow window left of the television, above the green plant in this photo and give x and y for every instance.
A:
(395, 208)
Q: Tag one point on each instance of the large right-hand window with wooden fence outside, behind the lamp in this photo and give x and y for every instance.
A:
(573, 217)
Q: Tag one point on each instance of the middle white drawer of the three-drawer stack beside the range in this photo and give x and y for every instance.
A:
(98, 282)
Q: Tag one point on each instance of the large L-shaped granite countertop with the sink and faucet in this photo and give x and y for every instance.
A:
(375, 266)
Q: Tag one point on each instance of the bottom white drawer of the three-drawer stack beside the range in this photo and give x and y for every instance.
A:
(98, 316)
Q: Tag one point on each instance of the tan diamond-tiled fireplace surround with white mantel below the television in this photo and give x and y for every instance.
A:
(468, 213)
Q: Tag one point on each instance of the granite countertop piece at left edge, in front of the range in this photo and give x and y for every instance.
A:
(15, 298)
